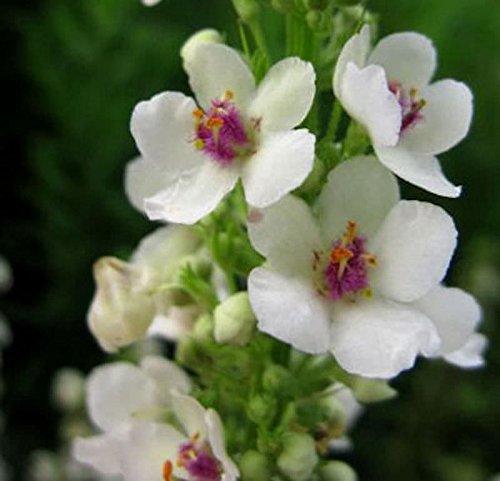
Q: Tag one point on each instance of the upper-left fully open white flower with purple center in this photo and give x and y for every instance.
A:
(193, 155)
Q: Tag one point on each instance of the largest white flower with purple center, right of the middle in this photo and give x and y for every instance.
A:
(352, 290)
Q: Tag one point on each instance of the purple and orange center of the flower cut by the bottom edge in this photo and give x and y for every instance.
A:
(197, 459)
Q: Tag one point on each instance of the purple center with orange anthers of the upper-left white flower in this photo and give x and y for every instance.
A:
(221, 132)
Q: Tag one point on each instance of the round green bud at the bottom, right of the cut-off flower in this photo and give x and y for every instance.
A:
(298, 458)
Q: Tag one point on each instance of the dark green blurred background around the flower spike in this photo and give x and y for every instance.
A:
(72, 71)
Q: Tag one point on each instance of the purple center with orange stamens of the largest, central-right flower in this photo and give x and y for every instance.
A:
(345, 270)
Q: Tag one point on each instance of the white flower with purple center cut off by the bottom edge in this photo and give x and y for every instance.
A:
(193, 450)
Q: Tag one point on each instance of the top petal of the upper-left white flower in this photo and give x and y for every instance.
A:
(216, 68)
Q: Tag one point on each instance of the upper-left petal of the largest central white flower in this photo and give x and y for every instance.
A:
(287, 234)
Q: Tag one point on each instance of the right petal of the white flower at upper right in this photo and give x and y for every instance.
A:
(447, 116)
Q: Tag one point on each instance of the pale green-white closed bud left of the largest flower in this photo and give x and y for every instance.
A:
(234, 320)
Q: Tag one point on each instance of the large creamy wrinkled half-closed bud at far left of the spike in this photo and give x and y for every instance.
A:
(121, 310)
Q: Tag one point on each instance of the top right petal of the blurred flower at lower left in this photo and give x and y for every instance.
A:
(167, 376)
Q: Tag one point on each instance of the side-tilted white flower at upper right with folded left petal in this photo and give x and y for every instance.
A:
(409, 121)
